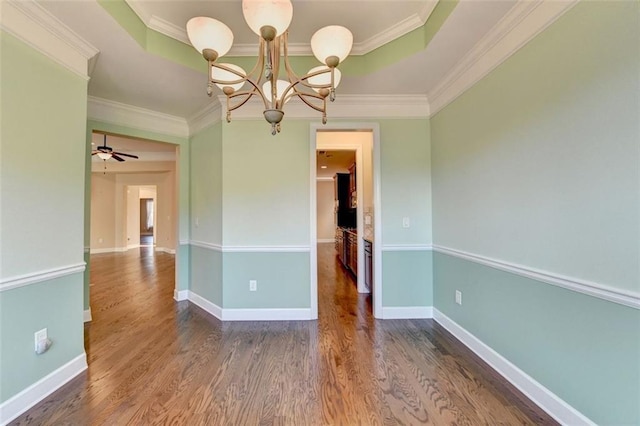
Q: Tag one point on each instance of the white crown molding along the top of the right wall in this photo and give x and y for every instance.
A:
(522, 23)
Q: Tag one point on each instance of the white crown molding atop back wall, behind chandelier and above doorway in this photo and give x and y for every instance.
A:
(344, 107)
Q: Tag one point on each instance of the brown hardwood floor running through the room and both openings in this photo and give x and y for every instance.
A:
(156, 361)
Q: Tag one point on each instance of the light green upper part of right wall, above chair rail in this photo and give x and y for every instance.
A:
(538, 163)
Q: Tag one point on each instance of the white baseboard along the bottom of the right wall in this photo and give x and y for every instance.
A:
(536, 392)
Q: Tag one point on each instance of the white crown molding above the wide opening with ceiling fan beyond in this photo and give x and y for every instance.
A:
(136, 117)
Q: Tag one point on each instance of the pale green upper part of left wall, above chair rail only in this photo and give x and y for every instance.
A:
(37, 190)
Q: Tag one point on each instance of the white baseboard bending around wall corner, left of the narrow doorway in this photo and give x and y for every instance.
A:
(249, 314)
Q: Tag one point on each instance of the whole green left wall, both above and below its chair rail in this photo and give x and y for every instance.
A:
(41, 210)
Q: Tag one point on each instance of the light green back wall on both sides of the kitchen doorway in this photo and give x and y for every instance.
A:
(263, 194)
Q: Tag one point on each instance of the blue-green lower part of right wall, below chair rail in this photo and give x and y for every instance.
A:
(583, 349)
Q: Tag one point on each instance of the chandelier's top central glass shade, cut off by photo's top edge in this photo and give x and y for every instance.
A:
(271, 13)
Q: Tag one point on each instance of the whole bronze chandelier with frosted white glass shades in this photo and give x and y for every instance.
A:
(270, 19)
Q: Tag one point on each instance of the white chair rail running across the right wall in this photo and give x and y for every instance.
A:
(601, 291)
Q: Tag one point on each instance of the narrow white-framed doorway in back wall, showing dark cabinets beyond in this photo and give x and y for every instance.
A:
(354, 202)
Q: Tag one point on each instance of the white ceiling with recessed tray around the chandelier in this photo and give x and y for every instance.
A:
(126, 73)
